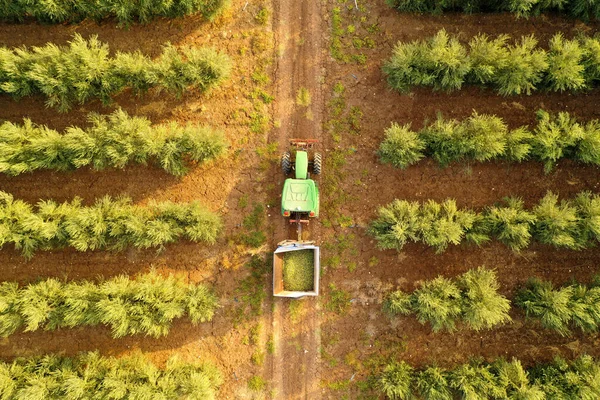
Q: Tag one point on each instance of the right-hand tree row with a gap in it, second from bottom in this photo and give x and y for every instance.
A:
(473, 299)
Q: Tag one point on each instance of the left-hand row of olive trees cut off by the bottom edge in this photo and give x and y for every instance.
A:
(90, 376)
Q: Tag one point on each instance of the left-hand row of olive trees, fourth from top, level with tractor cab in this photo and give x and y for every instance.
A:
(113, 224)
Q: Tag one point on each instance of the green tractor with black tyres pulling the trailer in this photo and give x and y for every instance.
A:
(300, 196)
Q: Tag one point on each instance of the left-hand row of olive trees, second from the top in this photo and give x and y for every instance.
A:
(85, 70)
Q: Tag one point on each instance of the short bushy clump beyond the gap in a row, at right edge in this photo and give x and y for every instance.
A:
(559, 309)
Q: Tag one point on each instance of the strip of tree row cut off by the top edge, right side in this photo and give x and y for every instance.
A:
(576, 8)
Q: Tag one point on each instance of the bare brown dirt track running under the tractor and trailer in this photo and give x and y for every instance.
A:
(297, 337)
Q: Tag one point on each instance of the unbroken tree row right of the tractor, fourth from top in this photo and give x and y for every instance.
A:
(572, 224)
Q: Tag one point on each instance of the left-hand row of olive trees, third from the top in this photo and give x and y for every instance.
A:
(111, 141)
